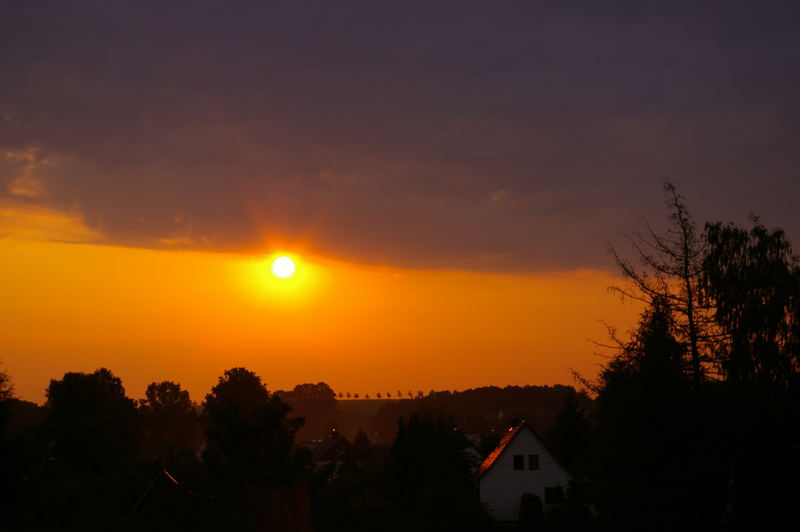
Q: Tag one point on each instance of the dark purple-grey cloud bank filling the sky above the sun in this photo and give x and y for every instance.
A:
(503, 135)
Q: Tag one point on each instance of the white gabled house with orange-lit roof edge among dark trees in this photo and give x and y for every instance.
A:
(519, 464)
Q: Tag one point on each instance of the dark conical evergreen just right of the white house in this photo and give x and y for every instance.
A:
(646, 421)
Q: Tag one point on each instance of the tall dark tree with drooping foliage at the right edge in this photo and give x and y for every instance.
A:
(752, 277)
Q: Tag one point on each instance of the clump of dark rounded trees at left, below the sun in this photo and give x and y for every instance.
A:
(97, 460)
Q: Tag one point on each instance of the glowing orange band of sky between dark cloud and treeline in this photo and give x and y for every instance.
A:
(69, 305)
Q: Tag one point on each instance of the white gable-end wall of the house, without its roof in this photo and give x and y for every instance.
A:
(501, 487)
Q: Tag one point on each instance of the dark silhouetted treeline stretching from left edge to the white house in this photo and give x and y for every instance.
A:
(92, 458)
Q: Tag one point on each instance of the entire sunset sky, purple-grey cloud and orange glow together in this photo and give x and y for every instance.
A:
(448, 176)
